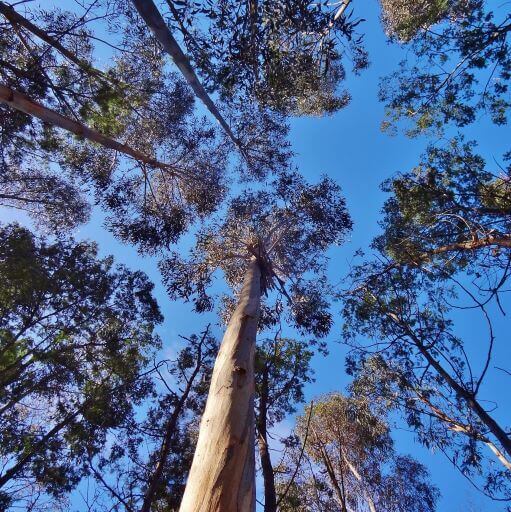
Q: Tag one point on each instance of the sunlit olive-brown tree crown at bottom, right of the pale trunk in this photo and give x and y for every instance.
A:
(346, 461)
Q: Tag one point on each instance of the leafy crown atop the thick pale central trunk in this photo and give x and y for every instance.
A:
(286, 231)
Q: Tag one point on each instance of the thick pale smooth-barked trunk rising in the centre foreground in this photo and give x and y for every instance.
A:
(222, 476)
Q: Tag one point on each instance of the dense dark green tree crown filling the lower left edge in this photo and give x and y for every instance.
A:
(76, 333)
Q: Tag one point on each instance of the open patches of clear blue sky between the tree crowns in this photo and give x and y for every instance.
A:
(350, 148)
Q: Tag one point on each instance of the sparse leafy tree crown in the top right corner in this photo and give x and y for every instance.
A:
(459, 65)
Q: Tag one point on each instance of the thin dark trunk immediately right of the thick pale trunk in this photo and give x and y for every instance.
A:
(270, 495)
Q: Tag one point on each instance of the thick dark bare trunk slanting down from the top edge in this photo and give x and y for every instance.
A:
(153, 19)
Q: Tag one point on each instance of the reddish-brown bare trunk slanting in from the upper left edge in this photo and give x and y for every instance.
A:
(23, 103)
